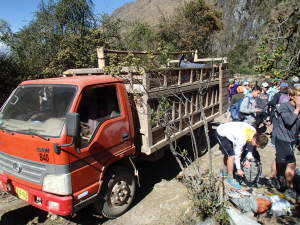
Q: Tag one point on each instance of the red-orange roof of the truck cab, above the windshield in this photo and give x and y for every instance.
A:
(81, 81)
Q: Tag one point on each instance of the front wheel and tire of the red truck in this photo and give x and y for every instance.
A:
(118, 192)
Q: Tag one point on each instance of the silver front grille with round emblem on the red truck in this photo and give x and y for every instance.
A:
(24, 169)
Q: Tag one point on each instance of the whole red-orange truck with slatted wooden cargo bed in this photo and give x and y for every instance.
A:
(71, 141)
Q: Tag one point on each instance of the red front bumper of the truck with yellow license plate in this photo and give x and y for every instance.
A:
(60, 205)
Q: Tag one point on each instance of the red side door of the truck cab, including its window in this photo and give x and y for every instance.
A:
(105, 134)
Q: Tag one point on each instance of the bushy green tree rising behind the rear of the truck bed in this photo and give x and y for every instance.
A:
(191, 27)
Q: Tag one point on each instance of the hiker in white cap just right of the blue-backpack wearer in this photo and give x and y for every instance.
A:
(262, 104)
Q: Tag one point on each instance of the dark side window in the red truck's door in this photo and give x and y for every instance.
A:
(98, 104)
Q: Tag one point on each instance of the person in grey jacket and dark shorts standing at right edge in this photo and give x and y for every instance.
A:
(286, 135)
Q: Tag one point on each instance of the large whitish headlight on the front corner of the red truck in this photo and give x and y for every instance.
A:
(58, 184)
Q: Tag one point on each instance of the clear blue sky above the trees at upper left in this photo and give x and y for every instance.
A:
(20, 12)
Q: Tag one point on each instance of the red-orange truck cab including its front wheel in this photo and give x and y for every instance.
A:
(58, 136)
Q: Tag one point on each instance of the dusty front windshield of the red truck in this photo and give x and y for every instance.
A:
(37, 109)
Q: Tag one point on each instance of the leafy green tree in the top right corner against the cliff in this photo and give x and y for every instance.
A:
(278, 53)
